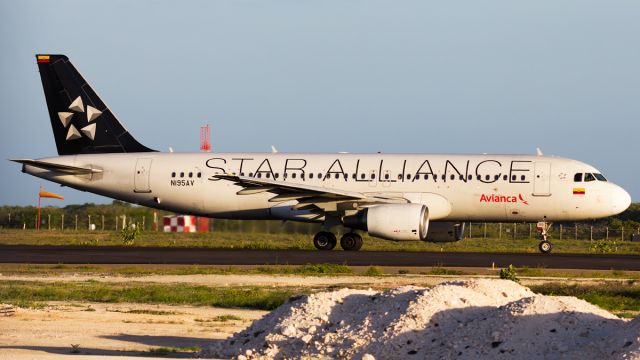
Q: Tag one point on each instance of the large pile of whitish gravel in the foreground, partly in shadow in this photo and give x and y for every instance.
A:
(475, 319)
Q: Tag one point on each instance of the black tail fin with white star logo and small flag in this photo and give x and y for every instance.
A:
(81, 122)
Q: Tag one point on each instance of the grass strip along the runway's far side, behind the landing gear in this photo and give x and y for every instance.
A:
(251, 240)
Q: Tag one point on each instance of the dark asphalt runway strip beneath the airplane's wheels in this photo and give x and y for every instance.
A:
(206, 256)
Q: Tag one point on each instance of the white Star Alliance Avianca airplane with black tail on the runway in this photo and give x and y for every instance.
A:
(398, 197)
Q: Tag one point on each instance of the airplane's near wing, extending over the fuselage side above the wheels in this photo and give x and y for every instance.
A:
(304, 194)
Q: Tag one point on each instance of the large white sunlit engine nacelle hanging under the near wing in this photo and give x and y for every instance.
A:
(392, 221)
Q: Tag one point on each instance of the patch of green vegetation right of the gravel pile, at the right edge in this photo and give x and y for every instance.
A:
(619, 298)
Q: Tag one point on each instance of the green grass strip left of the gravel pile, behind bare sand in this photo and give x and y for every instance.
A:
(263, 298)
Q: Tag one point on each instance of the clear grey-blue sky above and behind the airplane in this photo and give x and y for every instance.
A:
(328, 76)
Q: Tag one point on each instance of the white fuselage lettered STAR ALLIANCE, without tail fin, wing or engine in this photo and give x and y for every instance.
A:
(454, 187)
